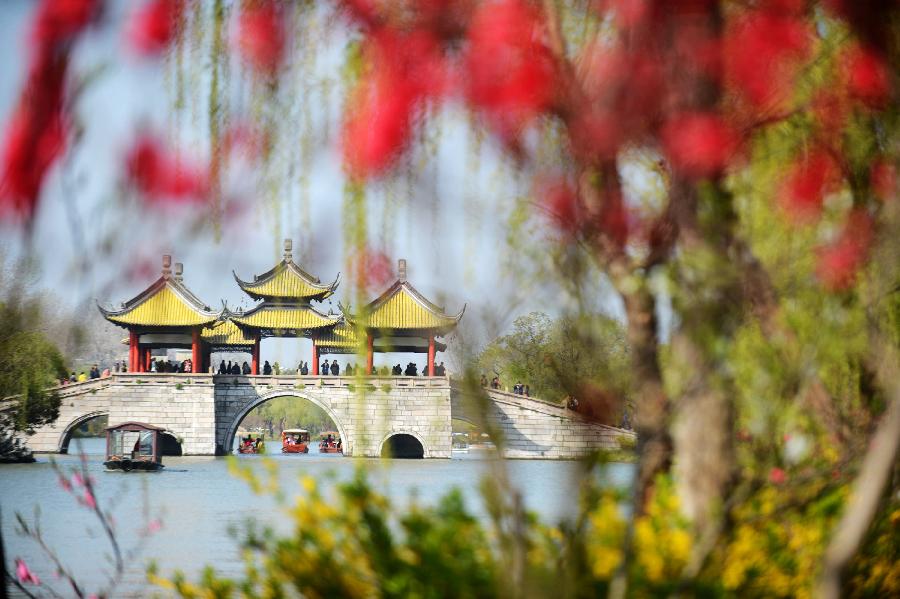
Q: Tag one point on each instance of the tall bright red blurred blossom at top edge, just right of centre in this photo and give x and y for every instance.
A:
(510, 72)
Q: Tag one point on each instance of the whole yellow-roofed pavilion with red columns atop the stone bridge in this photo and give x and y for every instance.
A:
(168, 315)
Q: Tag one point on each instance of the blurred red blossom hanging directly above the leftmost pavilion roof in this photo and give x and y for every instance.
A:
(158, 176)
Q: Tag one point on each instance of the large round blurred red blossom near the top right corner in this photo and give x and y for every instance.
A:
(763, 51)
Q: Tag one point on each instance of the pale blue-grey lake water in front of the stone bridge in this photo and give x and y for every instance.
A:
(199, 501)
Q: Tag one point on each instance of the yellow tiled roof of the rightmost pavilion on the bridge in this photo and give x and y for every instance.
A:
(404, 308)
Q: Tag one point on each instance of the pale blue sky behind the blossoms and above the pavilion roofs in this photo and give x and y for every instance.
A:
(92, 241)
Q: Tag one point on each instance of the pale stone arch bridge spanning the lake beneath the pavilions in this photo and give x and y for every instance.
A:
(203, 411)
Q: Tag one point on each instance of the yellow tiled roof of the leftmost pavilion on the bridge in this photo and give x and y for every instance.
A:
(163, 307)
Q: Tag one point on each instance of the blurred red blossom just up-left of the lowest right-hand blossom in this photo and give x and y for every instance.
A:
(808, 181)
